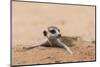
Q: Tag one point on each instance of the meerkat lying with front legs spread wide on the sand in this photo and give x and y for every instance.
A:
(53, 39)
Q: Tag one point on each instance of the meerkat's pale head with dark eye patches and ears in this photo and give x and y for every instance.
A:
(52, 32)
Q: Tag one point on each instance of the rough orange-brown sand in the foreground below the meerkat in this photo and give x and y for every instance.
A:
(82, 51)
